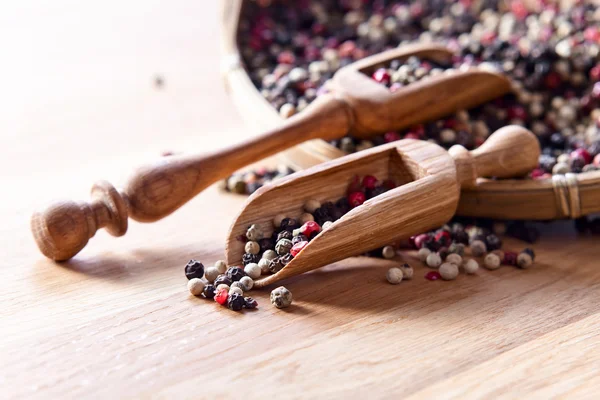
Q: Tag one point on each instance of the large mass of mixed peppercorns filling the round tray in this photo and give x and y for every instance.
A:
(292, 48)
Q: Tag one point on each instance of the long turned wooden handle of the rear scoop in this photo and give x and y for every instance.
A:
(156, 190)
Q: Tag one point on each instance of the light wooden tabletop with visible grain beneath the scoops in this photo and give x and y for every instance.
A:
(79, 104)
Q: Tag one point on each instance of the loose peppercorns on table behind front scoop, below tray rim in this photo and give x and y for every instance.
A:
(445, 248)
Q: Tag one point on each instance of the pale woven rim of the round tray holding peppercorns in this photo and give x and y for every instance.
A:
(563, 196)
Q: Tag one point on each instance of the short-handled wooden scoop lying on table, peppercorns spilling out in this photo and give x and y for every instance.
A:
(430, 180)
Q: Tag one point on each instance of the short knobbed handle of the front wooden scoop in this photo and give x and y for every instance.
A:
(510, 152)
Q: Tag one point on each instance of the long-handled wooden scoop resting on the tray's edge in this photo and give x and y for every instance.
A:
(356, 104)
